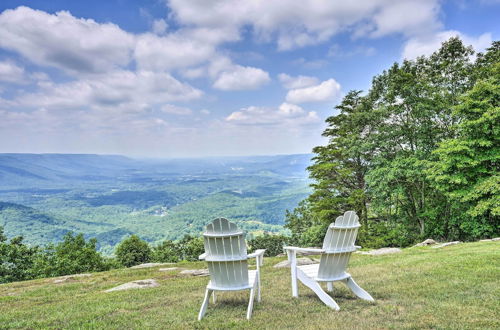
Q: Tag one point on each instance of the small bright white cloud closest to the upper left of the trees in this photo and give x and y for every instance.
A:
(324, 92)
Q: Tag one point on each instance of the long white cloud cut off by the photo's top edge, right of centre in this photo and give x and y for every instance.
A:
(308, 22)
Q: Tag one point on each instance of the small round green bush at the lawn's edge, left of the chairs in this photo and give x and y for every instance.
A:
(133, 251)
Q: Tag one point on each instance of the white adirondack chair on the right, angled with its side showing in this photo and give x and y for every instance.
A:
(338, 246)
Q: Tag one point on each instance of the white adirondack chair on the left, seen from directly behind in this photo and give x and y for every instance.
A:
(226, 256)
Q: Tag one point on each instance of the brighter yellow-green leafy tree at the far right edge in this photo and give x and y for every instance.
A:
(468, 169)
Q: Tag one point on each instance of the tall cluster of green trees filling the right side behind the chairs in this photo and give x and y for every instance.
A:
(415, 157)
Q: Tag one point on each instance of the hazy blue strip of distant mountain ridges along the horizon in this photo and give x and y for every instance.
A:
(22, 170)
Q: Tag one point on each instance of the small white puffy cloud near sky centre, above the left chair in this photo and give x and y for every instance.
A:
(241, 78)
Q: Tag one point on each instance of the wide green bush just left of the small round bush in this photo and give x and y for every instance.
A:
(71, 256)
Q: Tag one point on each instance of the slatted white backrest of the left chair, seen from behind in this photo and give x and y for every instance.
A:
(226, 254)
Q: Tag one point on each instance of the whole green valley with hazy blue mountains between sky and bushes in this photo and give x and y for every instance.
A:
(44, 196)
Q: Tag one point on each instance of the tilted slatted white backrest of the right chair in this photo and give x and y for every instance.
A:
(338, 245)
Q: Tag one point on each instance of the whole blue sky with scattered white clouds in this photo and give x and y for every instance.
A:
(195, 78)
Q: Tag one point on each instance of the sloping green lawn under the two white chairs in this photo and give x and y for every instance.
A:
(453, 287)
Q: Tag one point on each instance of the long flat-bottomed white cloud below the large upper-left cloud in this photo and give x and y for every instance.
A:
(118, 91)
